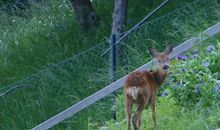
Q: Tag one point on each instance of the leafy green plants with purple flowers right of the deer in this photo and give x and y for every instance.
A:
(193, 83)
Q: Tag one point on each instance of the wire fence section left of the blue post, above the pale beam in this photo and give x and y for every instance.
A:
(54, 89)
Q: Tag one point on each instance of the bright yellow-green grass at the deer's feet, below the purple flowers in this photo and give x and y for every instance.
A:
(172, 117)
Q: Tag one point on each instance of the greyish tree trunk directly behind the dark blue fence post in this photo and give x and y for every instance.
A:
(118, 25)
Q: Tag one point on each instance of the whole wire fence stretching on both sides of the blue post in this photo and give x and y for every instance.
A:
(54, 89)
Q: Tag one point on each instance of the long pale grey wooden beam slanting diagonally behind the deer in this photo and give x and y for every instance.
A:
(119, 83)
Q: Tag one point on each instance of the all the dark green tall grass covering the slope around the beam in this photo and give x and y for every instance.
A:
(48, 38)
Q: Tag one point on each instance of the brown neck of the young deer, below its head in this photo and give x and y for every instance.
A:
(159, 77)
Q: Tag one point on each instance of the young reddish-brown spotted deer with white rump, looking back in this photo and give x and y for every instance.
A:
(141, 87)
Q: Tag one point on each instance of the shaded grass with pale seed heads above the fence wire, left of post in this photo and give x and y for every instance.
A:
(28, 45)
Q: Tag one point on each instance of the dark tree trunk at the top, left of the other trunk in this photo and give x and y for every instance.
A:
(85, 14)
